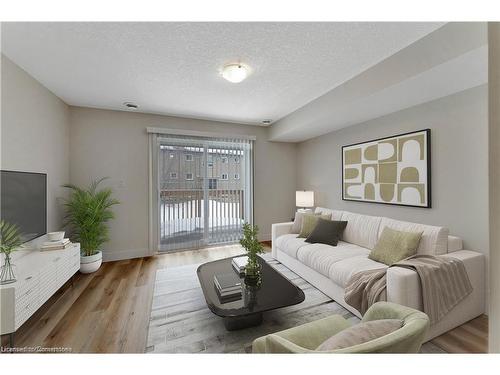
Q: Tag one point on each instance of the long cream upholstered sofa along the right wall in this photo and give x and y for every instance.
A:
(329, 268)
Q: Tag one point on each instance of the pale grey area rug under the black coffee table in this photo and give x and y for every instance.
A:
(181, 322)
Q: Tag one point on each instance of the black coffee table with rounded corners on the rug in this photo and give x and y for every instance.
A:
(275, 291)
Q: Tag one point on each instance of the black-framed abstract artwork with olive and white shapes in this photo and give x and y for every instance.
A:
(393, 170)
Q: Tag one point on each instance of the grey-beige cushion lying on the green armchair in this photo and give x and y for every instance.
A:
(361, 333)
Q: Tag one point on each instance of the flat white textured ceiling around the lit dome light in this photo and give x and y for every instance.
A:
(172, 68)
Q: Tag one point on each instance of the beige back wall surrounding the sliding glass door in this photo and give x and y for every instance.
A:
(115, 144)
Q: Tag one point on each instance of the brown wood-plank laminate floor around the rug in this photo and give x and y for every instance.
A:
(108, 311)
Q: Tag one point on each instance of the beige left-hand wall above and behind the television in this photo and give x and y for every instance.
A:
(35, 134)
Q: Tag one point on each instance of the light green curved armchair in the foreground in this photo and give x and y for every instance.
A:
(307, 337)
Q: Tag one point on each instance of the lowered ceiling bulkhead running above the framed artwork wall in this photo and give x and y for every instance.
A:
(453, 58)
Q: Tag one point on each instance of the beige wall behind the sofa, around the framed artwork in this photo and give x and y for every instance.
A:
(459, 145)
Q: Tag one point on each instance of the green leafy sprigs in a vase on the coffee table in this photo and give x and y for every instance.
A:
(253, 248)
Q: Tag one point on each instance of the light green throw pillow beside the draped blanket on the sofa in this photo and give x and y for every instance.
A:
(394, 245)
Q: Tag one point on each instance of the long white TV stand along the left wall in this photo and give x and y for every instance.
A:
(39, 275)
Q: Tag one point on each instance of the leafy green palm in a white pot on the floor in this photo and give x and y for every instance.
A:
(87, 213)
